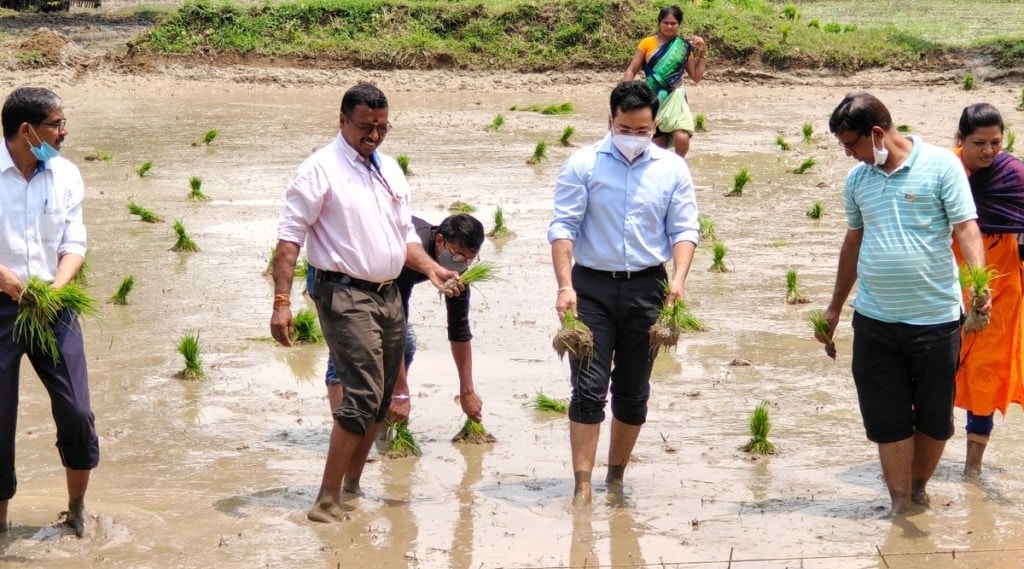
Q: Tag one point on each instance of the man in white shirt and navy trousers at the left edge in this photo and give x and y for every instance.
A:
(42, 236)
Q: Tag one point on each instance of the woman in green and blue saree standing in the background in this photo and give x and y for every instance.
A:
(665, 58)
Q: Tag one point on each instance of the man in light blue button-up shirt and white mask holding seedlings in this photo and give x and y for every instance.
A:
(623, 209)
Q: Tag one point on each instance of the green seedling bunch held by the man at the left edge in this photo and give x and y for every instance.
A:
(39, 308)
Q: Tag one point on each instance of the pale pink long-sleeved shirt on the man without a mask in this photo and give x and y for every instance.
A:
(354, 218)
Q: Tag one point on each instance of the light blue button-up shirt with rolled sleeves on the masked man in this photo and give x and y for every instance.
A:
(622, 216)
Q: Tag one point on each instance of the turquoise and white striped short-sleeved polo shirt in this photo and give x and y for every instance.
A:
(907, 273)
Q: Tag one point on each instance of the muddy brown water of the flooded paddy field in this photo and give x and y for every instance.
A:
(220, 473)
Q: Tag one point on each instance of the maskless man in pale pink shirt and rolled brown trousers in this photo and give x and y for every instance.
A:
(351, 205)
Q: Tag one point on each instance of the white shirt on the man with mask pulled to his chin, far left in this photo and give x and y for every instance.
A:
(40, 220)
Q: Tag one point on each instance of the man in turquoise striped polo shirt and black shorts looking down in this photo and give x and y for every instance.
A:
(905, 202)
